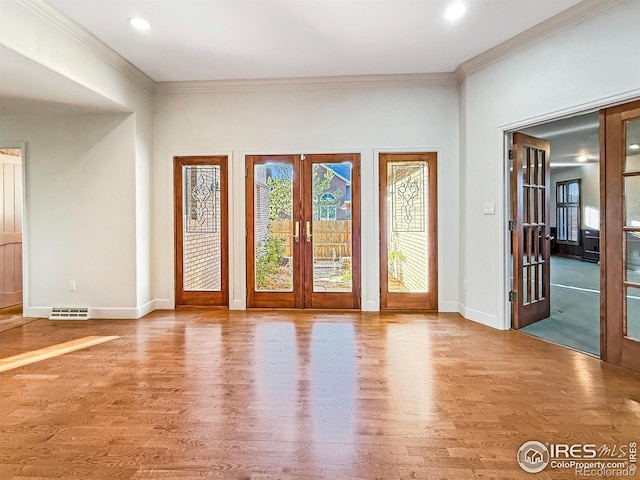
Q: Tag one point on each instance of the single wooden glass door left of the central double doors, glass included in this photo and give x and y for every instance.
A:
(200, 219)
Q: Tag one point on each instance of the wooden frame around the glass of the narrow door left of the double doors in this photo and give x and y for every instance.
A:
(201, 298)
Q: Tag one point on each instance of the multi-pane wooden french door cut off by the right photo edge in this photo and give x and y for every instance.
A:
(620, 236)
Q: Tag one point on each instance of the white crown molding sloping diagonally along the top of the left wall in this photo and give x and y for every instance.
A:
(83, 37)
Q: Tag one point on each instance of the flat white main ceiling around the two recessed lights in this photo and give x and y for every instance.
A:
(248, 39)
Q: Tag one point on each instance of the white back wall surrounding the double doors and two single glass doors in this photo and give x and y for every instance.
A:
(361, 119)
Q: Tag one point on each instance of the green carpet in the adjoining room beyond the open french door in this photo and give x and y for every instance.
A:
(575, 306)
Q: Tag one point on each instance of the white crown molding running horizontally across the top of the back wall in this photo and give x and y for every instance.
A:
(302, 83)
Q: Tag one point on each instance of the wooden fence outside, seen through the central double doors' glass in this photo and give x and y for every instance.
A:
(331, 238)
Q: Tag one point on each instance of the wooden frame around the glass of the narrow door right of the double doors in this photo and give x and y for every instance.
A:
(409, 301)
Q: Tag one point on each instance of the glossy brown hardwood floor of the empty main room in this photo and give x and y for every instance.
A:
(300, 395)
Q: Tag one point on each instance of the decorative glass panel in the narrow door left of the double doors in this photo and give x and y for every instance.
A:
(201, 235)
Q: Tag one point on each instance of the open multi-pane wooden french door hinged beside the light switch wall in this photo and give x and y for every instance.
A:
(530, 240)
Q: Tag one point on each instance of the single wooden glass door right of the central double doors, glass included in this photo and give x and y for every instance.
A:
(408, 231)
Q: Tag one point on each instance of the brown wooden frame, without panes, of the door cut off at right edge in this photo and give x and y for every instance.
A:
(612, 314)
